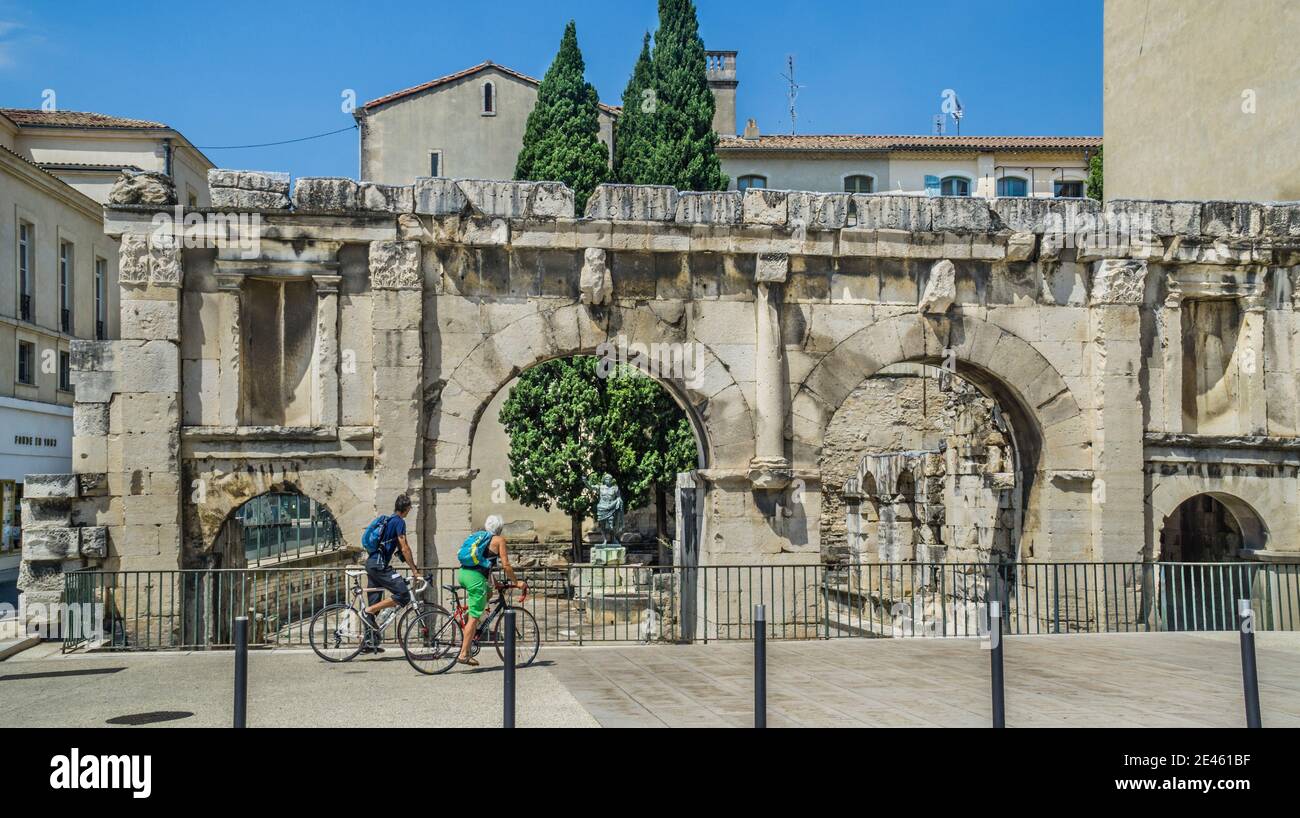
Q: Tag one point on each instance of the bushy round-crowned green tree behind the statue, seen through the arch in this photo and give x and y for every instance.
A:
(566, 422)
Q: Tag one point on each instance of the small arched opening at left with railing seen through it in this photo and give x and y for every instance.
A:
(275, 529)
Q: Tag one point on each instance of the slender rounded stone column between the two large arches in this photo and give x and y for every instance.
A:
(770, 469)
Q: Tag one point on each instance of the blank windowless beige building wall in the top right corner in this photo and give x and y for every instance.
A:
(1201, 99)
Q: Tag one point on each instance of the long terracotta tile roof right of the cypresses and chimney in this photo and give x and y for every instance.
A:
(874, 142)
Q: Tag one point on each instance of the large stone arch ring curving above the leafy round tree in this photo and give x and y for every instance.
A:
(713, 400)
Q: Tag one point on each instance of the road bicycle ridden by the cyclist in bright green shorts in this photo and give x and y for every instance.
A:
(432, 640)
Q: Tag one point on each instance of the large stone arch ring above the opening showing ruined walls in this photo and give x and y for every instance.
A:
(1047, 421)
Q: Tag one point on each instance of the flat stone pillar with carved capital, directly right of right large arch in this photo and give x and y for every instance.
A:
(1119, 288)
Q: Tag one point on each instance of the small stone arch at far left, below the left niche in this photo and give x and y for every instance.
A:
(220, 487)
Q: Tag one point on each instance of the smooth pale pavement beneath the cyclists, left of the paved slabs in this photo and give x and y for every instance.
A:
(287, 689)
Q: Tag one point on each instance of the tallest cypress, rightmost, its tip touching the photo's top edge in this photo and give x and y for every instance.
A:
(684, 153)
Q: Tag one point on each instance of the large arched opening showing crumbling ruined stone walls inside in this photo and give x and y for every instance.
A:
(946, 468)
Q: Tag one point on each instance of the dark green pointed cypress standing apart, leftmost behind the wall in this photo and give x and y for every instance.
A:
(562, 140)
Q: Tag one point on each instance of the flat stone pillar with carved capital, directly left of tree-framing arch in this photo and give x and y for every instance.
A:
(398, 300)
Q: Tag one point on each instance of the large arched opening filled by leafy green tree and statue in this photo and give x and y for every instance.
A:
(532, 479)
